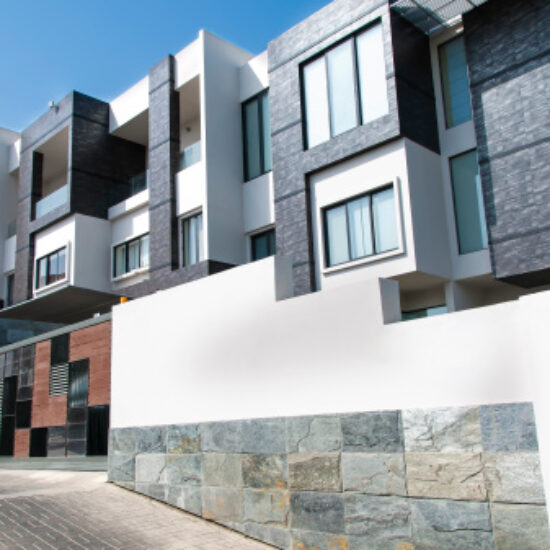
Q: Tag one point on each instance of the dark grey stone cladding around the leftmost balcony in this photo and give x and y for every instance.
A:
(100, 166)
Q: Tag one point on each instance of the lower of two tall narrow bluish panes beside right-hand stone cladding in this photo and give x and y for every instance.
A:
(468, 202)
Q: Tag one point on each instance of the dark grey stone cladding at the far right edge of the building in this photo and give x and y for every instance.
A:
(508, 50)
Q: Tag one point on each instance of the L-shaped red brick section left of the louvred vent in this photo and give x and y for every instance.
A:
(46, 410)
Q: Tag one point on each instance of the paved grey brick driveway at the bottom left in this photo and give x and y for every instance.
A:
(44, 510)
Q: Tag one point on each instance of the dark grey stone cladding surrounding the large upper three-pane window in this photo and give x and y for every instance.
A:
(408, 74)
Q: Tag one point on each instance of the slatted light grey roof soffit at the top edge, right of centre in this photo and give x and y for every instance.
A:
(433, 15)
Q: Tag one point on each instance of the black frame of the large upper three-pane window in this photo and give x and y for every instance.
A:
(356, 84)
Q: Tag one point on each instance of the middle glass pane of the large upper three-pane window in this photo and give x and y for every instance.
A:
(343, 110)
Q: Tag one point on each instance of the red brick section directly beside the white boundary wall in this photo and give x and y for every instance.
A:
(95, 343)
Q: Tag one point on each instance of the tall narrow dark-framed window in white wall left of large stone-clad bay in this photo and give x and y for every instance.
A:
(256, 137)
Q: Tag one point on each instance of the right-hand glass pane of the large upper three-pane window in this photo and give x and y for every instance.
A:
(372, 74)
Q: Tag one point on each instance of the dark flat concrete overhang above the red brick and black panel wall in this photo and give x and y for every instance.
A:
(66, 305)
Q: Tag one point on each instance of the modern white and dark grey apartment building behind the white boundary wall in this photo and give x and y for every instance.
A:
(368, 141)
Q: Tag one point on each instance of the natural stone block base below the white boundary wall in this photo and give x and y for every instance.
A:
(442, 479)
